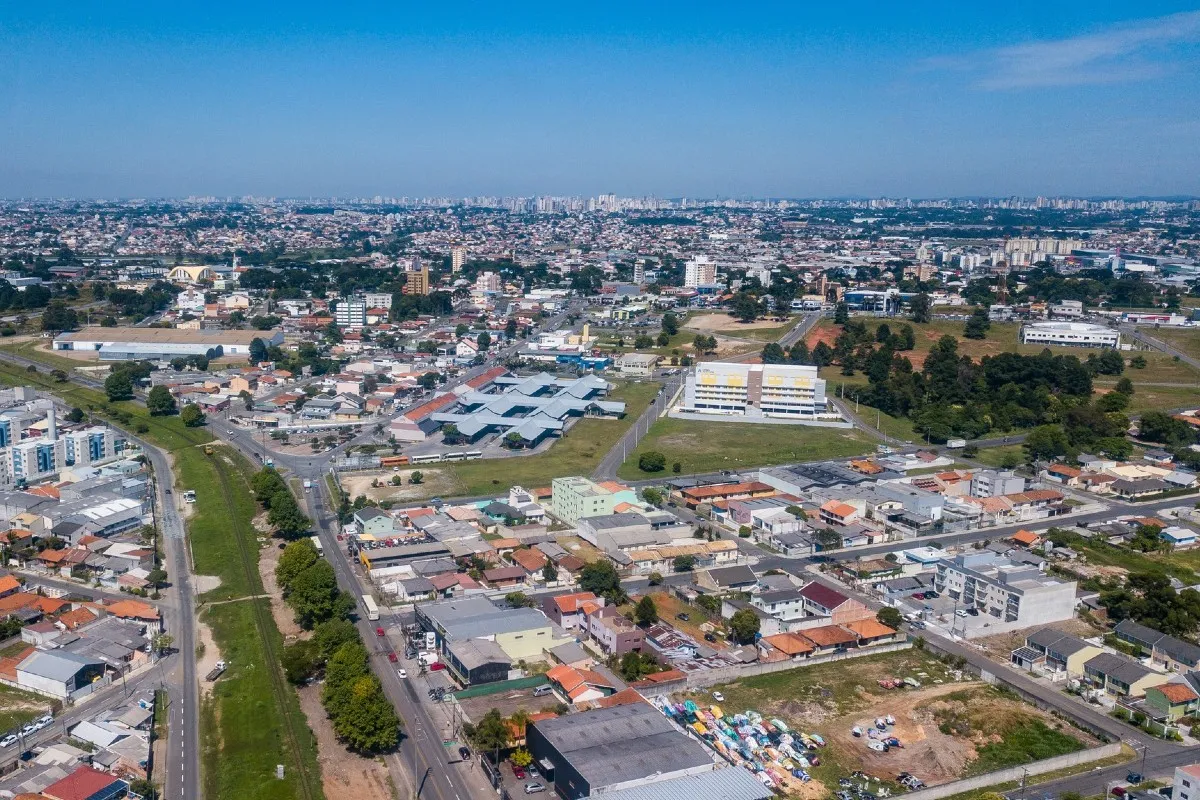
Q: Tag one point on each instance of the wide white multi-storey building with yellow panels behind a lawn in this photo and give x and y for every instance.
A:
(757, 390)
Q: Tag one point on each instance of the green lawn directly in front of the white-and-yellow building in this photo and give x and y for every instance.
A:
(710, 447)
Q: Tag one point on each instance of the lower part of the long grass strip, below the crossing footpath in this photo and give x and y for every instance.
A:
(245, 729)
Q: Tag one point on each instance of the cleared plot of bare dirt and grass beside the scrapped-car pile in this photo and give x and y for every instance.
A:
(949, 730)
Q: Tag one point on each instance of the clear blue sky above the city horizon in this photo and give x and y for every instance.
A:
(796, 100)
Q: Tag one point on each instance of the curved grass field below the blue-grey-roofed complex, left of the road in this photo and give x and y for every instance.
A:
(579, 453)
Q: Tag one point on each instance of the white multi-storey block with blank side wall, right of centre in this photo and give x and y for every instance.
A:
(1018, 596)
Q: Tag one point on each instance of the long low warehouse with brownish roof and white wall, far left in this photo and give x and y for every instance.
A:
(160, 344)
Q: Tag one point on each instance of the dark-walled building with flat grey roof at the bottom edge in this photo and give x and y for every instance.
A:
(617, 748)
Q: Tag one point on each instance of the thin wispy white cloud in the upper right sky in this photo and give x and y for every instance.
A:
(1124, 53)
